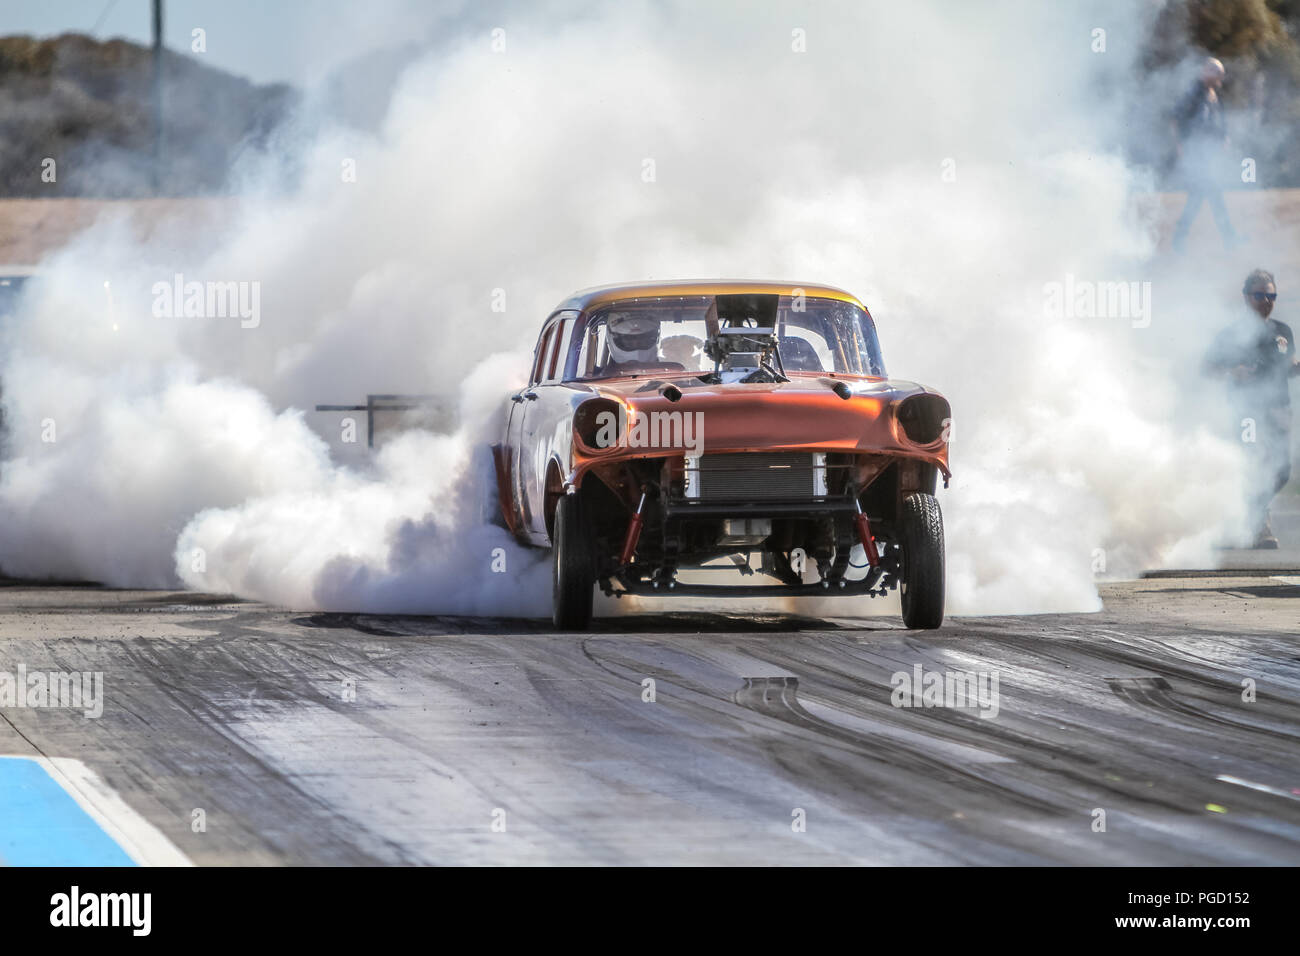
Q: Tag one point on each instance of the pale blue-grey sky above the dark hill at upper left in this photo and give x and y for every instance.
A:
(298, 42)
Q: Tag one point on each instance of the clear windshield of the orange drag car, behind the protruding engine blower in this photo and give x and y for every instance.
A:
(669, 336)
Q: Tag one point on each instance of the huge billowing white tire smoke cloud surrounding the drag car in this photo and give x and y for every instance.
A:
(185, 452)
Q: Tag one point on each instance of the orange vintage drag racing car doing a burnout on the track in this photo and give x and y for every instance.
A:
(673, 434)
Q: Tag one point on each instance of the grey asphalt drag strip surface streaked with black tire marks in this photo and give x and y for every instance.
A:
(362, 739)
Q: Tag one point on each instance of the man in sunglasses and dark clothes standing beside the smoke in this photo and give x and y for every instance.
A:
(1259, 356)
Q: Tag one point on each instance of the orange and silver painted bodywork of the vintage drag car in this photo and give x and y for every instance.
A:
(543, 458)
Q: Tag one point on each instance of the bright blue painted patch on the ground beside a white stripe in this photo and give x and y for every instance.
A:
(42, 825)
